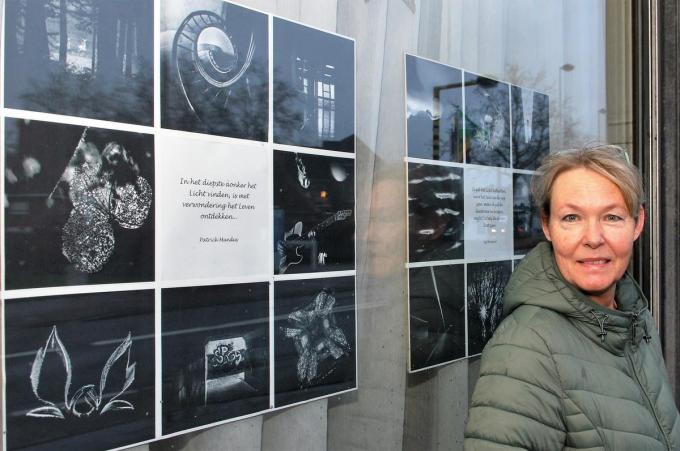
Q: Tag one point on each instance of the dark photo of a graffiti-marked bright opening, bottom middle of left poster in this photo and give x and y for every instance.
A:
(215, 342)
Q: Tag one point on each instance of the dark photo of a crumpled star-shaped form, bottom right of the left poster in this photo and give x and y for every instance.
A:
(315, 344)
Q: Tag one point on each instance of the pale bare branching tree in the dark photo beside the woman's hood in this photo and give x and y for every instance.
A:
(486, 284)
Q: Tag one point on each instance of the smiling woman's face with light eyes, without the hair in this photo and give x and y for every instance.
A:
(592, 232)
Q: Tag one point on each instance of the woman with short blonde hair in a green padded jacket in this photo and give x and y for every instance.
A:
(576, 363)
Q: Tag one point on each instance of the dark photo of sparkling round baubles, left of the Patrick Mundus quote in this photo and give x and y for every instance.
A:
(79, 205)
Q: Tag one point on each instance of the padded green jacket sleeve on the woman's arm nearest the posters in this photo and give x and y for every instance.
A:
(517, 403)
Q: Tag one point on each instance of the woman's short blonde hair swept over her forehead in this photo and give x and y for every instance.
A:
(609, 161)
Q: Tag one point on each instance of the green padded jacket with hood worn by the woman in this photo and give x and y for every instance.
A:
(564, 373)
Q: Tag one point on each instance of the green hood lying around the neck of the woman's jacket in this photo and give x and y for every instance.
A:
(538, 282)
